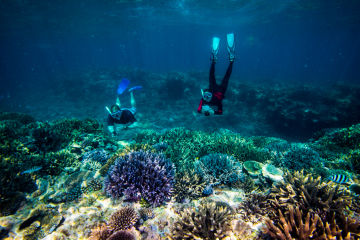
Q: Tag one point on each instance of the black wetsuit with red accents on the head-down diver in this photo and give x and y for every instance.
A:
(218, 91)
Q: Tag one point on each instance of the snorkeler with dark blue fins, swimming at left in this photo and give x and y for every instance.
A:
(118, 115)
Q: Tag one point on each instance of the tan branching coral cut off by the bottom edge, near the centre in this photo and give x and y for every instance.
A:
(208, 221)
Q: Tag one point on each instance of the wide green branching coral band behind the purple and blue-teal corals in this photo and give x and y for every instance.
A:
(185, 145)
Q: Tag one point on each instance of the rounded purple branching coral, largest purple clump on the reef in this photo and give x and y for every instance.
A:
(141, 175)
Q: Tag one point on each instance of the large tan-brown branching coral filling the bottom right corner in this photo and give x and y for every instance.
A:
(304, 207)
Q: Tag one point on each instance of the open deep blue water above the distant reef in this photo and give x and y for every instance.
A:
(306, 41)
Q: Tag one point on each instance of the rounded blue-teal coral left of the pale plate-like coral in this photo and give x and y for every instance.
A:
(219, 168)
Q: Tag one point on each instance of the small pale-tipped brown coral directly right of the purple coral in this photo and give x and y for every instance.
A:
(188, 185)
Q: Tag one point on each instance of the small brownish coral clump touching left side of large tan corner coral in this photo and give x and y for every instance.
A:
(254, 208)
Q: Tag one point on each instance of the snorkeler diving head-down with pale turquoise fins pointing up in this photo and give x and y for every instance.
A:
(212, 97)
